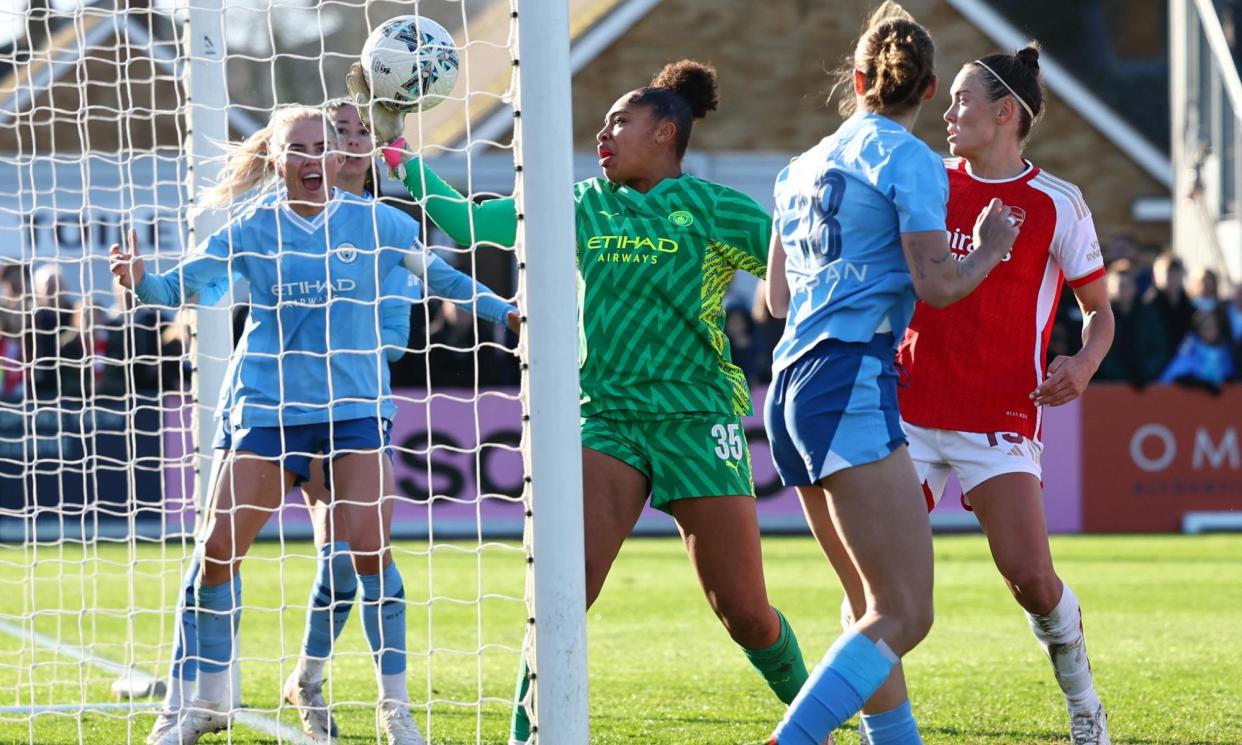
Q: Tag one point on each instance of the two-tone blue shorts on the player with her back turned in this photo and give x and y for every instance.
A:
(835, 408)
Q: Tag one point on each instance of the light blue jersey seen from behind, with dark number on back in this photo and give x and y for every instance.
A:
(841, 210)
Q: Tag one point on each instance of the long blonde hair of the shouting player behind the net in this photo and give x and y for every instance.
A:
(253, 162)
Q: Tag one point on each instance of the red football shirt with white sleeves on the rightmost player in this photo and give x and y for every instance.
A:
(973, 366)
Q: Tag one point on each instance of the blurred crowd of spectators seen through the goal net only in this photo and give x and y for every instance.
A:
(61, 346)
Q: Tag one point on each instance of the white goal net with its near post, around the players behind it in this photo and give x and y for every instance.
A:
(115, 117)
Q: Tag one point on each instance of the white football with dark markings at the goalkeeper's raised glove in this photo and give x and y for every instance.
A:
(412, 63)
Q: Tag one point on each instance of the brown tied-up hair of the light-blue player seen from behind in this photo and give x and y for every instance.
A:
(897, 60)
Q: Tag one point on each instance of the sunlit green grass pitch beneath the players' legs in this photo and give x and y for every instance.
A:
(1163, 619)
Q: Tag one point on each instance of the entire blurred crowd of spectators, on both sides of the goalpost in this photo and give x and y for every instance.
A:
(1172, 328)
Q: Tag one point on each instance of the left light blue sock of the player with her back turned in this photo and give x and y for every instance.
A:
(854, 669)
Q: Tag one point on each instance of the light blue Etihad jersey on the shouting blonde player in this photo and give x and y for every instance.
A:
(311, 351)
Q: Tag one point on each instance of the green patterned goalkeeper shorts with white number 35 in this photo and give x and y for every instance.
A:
(682, 459)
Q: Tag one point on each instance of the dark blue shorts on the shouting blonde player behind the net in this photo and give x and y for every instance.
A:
(304, 443)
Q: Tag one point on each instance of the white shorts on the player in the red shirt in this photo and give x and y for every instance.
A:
(976, 458)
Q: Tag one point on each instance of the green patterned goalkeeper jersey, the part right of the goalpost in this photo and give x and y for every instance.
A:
(654, 270)
